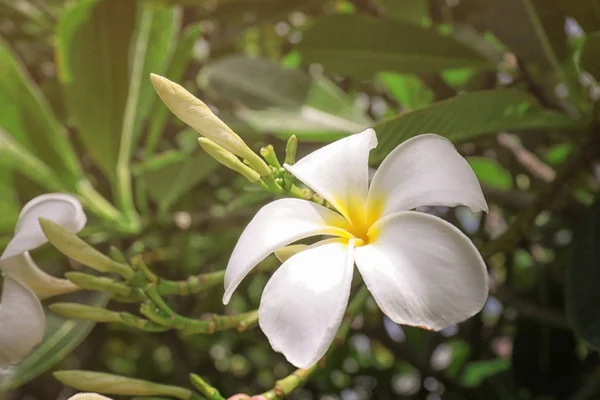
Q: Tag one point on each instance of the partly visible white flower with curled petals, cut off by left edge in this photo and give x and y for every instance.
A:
(22, 321)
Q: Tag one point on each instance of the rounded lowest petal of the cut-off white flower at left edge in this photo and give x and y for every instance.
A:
(22, 322)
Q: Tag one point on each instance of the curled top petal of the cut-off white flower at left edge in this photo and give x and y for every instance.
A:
(61, 208)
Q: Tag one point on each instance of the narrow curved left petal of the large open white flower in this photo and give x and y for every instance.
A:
(276, 225)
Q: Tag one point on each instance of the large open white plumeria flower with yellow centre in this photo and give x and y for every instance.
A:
(421, 270)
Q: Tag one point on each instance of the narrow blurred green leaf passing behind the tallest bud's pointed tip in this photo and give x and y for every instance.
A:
(175, 70)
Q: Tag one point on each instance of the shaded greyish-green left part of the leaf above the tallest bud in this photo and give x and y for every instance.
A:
(257, 83)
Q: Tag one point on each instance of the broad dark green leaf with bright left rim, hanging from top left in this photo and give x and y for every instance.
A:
(93, 39)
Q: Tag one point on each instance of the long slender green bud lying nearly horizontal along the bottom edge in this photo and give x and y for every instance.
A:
(114, 384)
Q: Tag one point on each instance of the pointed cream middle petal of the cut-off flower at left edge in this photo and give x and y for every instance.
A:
(22, 268)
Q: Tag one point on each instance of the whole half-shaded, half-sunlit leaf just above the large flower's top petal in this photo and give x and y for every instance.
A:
(292, 102)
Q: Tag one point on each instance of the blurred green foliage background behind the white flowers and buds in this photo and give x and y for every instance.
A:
(513, 83)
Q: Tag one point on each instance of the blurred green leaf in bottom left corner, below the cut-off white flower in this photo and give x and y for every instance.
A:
(62, 337)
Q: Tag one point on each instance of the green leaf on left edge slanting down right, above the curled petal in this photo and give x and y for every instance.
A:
(27, 117)
